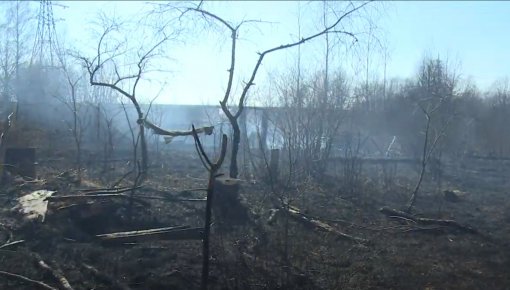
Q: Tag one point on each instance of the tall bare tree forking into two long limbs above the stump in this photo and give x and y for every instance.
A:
(234, 29)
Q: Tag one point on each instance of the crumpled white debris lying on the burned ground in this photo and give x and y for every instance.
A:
(34, 205)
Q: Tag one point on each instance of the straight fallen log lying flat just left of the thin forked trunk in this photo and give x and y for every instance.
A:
(168, 233)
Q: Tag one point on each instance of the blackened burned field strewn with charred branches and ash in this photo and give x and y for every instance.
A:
(329, 237)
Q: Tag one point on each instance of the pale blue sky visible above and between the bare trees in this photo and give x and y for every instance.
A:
(474, 35)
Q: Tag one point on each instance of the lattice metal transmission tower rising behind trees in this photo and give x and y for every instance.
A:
(47, 51)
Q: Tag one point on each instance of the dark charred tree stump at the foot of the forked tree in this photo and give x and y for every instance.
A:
(227, 207)
